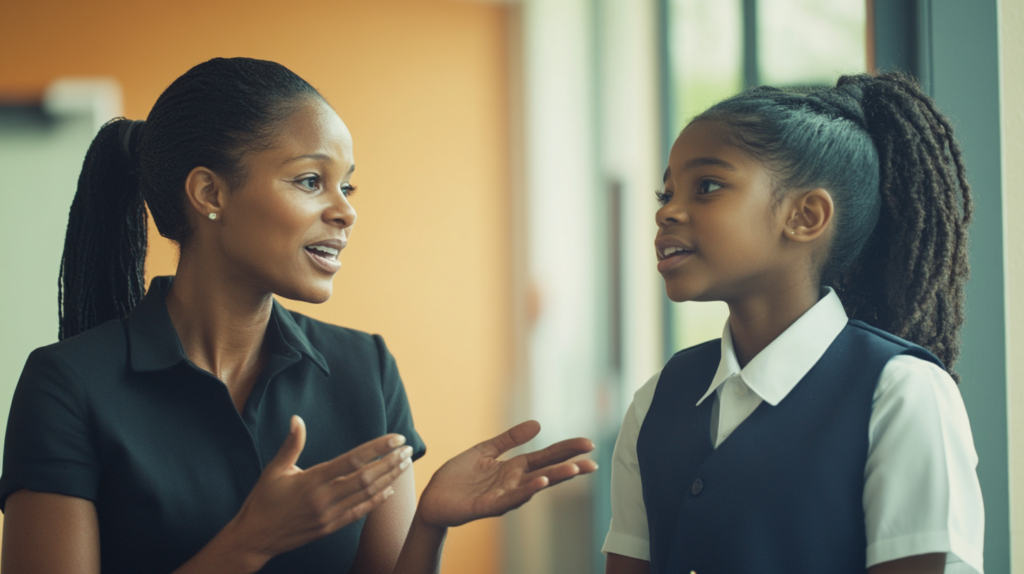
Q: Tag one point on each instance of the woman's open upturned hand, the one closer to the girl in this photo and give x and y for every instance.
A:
(476, 484)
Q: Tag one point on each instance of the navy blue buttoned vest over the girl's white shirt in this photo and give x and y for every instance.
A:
(784, 494)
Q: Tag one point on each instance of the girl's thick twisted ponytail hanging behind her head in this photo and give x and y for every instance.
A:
(910, 279)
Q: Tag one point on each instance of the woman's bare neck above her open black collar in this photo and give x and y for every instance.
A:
(222, 324)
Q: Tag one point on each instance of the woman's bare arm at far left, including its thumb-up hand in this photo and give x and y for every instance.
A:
(287, 509)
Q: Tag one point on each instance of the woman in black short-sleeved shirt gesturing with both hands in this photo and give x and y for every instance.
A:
(148, 439)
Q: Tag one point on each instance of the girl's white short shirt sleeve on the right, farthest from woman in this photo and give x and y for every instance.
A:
(921, 489)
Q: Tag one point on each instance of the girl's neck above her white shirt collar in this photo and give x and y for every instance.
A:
(758, 320)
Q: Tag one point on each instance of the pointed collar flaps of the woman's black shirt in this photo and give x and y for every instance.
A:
(155, 344)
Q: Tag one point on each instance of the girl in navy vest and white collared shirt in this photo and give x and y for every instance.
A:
(823, 433)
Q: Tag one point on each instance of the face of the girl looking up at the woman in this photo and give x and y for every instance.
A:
(720, 234)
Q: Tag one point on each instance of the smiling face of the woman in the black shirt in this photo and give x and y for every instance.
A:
(283, 232)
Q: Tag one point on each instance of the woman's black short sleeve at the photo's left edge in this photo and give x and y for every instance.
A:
(48, 447)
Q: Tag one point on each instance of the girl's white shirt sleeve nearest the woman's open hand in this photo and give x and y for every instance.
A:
(628, 533)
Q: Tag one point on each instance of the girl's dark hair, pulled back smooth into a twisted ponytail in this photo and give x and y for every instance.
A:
(887, 156)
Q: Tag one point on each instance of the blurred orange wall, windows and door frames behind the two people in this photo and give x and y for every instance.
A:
(508, 156)
